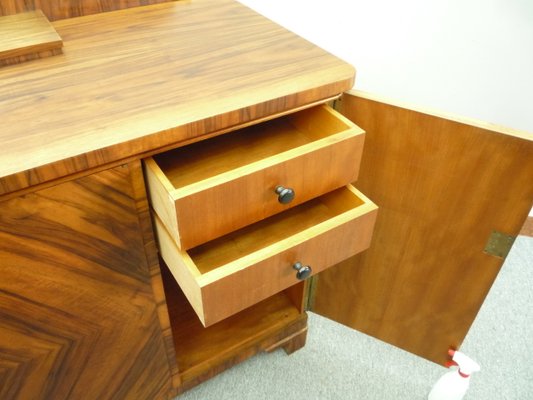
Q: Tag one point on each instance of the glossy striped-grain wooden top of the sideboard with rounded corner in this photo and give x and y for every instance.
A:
(135, 80)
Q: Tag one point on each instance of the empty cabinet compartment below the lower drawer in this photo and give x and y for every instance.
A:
(200, 349)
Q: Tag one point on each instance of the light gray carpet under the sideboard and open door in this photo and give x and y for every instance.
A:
(339, 363)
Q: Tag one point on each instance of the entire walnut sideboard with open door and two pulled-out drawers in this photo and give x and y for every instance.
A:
(176, 191)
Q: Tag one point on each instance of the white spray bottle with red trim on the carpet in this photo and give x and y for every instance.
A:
(454, 384)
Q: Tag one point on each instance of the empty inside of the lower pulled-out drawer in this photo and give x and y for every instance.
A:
(252, 238)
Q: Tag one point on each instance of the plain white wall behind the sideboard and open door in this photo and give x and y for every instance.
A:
(473, 58)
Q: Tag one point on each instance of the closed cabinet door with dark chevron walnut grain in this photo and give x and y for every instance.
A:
(76, 295)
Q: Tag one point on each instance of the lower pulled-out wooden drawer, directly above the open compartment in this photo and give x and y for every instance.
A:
(231, 273)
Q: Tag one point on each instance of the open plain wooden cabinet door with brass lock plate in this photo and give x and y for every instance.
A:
(450, 194)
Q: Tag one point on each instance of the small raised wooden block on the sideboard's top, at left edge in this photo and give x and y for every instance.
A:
(27, 36)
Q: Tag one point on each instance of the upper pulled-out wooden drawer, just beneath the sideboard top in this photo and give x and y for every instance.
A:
(205, 190)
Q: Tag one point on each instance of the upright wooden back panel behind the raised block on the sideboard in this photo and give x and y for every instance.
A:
(61, 9)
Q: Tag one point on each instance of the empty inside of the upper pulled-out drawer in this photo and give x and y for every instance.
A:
(209, 158)
